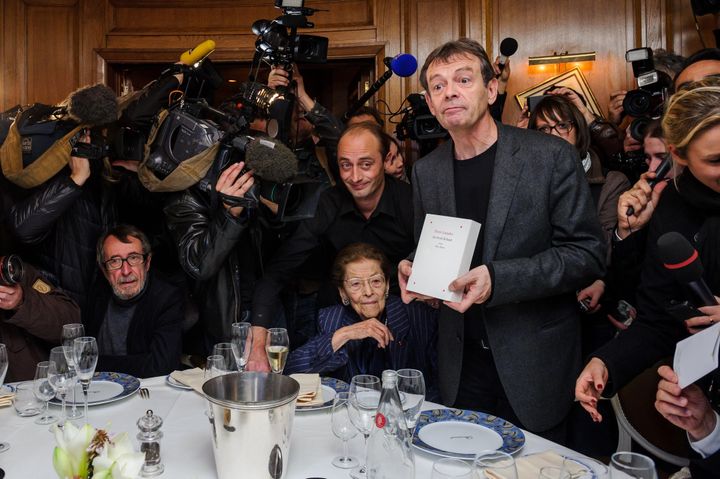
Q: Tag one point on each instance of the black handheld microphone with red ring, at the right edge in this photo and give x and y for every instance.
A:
(682, 260)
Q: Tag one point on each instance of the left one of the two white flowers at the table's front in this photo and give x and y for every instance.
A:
(70, 457)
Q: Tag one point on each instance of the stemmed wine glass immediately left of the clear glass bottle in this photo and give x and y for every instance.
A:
(364, 399)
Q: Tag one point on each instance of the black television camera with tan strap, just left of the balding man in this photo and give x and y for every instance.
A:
(204, 140)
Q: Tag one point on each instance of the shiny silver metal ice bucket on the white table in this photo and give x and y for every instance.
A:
(251, 417)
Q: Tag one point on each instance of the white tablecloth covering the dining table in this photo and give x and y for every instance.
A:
(186, 448)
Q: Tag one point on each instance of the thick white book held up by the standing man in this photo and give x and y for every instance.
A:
(444, 253)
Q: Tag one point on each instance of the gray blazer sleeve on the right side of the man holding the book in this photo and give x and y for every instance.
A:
(574, 255)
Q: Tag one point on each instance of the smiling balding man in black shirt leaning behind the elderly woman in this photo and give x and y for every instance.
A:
(368, 207)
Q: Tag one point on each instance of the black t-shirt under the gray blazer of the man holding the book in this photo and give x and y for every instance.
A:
(473, 178)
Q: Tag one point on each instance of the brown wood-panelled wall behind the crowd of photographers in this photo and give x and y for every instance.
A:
(49, 47)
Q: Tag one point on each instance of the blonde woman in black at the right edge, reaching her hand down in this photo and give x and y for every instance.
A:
(690, 206)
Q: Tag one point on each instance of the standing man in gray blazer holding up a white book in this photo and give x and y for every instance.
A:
(511, 345)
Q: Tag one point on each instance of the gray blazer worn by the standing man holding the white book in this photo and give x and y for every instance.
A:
(544, 241)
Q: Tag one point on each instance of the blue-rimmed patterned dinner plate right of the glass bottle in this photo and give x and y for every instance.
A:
(462, 434)
